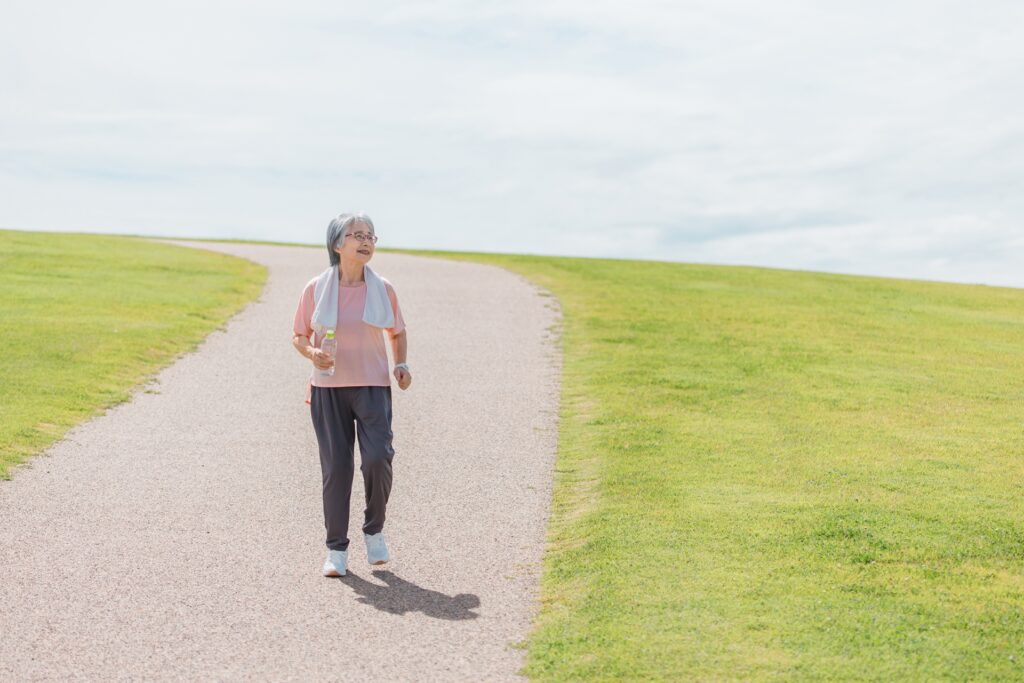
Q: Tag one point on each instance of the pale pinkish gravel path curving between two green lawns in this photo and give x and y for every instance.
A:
(181, 536)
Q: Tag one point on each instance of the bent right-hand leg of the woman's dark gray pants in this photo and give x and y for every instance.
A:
(373, 419)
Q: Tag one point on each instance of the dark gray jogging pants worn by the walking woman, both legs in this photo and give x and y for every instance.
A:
(334, 411)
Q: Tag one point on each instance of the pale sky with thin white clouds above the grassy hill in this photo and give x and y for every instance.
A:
(867, 138)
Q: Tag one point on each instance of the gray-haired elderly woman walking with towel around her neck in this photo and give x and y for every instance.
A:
(355, 306)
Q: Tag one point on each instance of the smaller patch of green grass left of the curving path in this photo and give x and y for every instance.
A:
(87, 319)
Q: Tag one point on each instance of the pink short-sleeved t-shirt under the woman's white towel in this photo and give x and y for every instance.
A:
(362, 359)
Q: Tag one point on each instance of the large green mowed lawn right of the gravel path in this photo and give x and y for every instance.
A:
(767, 475)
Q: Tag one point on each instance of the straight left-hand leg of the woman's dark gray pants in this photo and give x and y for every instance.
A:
(332, 416)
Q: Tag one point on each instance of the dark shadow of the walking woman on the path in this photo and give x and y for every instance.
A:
(401, 596)
